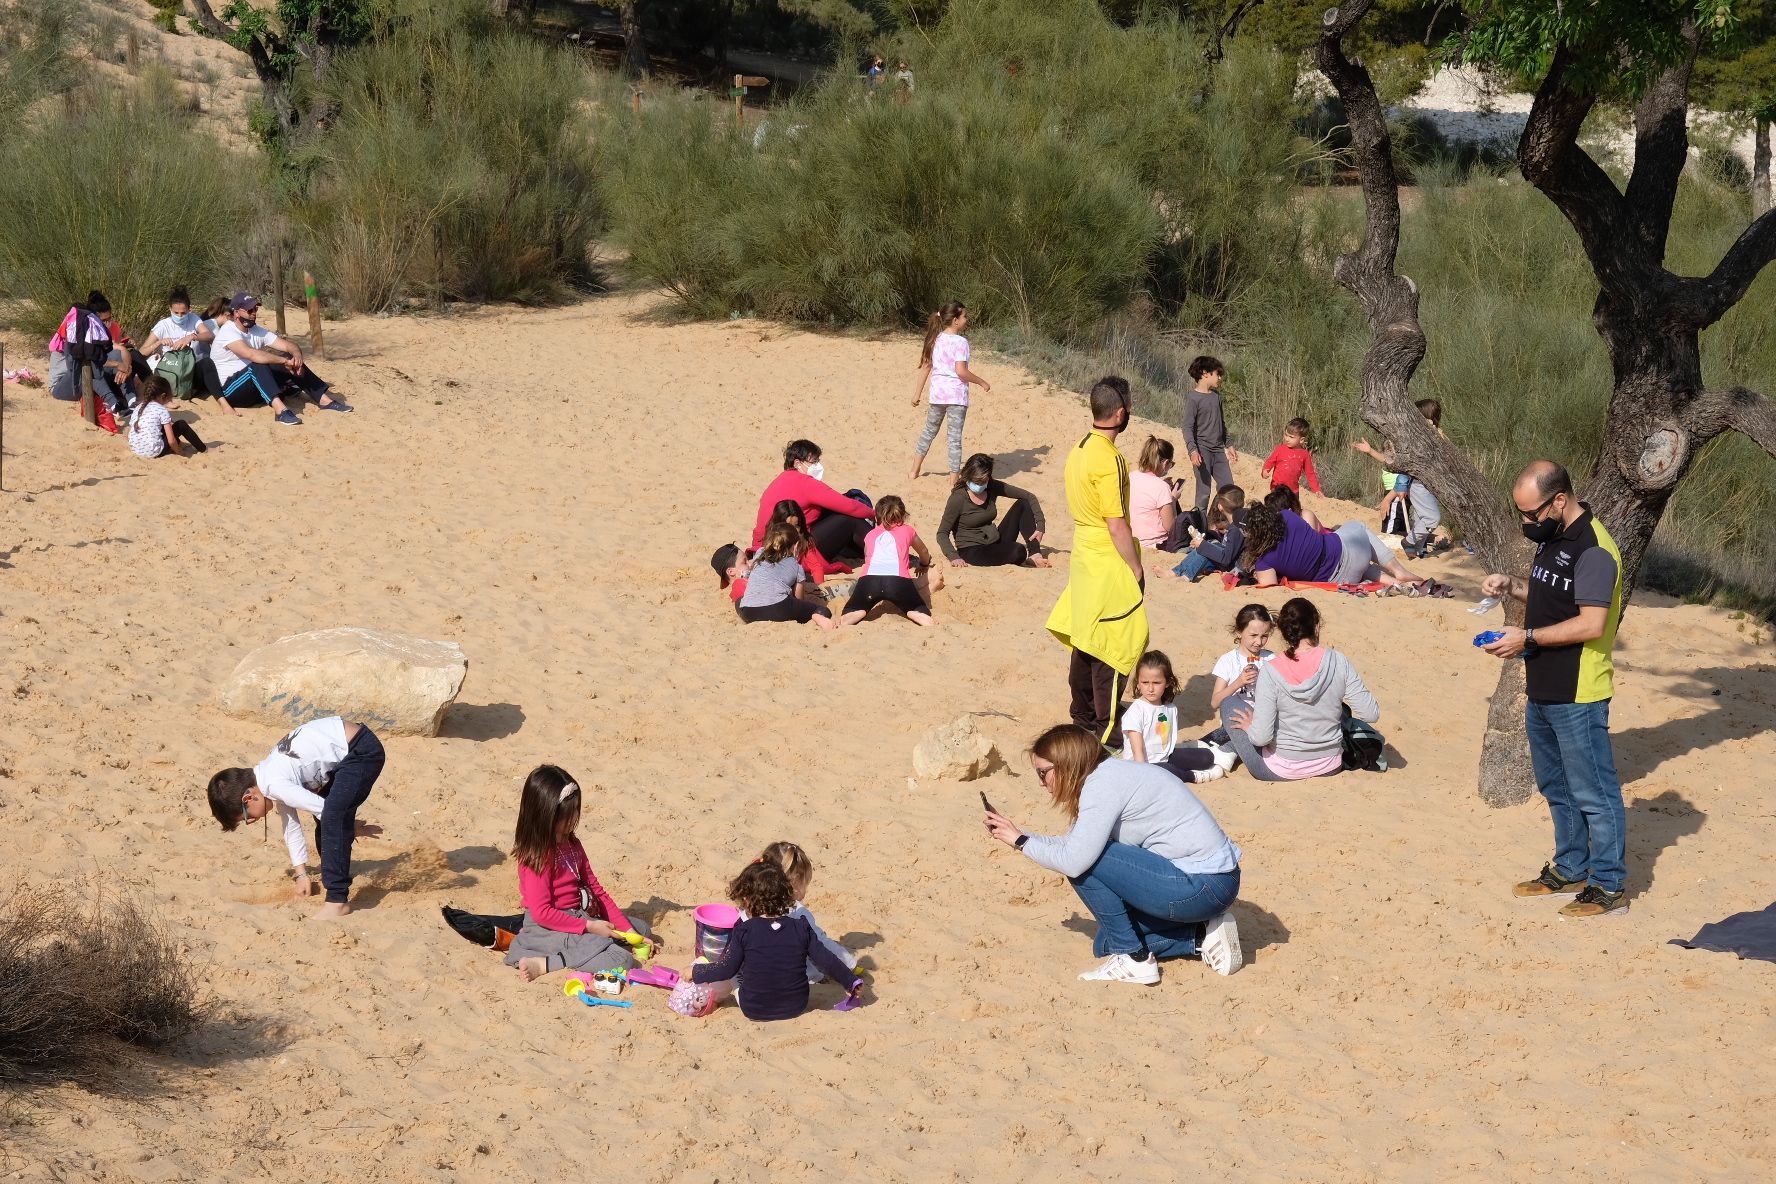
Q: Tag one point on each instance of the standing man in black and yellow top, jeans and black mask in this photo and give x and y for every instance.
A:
(1573, 608)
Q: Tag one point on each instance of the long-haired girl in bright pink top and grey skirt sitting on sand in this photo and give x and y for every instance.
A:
(569, 920)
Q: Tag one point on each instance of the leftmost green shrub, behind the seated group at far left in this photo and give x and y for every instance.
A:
(123, 194)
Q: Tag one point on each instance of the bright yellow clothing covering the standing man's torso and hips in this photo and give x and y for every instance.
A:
(1102, 612)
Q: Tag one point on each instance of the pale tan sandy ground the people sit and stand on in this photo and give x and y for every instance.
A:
(546, 489)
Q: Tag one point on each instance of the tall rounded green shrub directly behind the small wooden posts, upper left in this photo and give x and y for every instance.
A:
(459, 164)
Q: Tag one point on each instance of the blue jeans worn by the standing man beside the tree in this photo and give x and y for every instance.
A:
(1576, 771)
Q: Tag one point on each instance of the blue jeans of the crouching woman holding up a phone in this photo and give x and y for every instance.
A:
(1145, 903)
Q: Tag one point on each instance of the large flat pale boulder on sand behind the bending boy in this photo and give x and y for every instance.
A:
(393, 683)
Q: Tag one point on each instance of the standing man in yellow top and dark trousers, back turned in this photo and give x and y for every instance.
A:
(1102, 615)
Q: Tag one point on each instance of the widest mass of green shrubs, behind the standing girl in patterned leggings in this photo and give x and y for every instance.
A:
(1081, 184)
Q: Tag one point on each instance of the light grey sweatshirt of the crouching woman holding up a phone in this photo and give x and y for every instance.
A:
(1143, 807)
